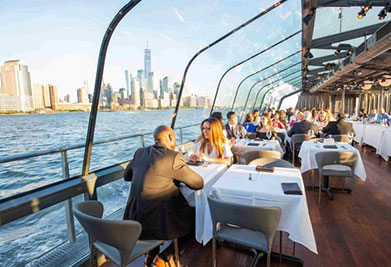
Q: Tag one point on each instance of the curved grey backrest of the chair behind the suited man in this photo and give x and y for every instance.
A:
(121, 235)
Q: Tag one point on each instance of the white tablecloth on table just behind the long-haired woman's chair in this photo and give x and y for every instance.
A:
(241, 146)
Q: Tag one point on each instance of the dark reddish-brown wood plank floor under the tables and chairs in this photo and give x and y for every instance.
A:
(346, 234)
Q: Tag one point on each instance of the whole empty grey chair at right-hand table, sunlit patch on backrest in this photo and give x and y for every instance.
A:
(326, 158)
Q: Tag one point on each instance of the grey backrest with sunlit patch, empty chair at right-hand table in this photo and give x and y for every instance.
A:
(325, 158)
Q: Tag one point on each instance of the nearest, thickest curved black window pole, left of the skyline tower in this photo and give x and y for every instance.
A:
(98, 82)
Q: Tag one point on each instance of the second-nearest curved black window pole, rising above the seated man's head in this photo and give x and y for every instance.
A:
(174, 116)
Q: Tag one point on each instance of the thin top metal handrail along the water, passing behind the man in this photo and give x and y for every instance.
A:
(77, 146)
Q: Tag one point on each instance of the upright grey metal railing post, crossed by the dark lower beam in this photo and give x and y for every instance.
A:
(68, 203)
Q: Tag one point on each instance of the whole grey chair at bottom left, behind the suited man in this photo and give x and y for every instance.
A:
(118, 240)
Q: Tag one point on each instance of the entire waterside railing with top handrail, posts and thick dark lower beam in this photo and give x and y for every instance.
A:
(20, 205)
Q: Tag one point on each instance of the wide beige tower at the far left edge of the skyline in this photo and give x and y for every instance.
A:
(16, 85)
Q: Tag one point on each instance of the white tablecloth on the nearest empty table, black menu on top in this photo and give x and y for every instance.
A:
(265, 190)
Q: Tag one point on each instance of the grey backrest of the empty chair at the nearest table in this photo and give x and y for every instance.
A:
(262, 219)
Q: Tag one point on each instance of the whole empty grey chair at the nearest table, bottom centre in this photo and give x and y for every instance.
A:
(258, 226)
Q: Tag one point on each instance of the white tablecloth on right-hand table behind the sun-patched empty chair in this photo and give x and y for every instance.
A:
(309, 149)
